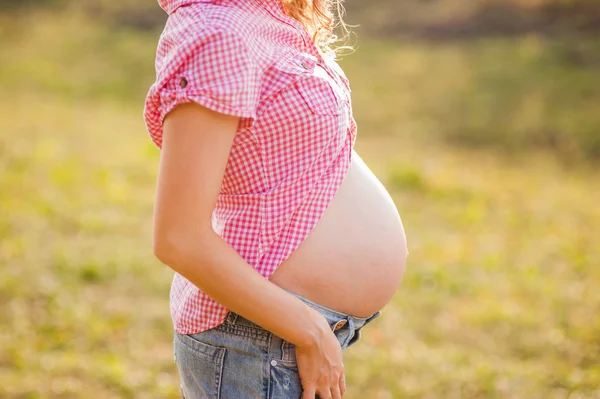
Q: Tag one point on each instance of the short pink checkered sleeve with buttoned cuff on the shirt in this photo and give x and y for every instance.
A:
(211, 67)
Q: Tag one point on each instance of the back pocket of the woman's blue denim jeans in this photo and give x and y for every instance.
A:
(200, 367)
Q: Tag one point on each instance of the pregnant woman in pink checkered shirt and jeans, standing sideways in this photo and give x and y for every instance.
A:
(283, 242)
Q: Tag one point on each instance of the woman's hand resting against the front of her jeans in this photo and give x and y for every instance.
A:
(320, 364)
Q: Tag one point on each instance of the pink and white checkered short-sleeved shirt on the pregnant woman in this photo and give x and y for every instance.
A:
(294, 141)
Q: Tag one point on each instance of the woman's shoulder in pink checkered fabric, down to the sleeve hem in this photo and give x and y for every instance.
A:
(204, 56)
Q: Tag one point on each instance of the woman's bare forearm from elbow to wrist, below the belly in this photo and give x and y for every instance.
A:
(217, 269)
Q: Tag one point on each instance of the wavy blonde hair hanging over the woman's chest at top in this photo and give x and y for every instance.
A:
(319, 19)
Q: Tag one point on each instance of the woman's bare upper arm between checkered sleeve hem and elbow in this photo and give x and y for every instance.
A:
(195, 150)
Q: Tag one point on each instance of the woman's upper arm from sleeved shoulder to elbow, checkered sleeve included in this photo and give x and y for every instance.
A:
(206, 81)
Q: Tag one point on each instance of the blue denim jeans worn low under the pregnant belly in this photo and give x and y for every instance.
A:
(241, 360)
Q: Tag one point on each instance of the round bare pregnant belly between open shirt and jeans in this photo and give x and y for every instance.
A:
(353, 260)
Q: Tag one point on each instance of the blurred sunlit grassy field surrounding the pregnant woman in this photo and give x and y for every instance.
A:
(482, 118)
